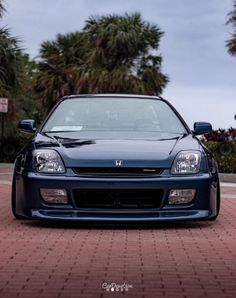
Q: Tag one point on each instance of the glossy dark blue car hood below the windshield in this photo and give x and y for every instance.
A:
(104, 152)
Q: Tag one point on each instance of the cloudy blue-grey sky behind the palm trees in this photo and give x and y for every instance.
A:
(202, 74)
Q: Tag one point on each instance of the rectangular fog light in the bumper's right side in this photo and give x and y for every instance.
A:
(181, 196)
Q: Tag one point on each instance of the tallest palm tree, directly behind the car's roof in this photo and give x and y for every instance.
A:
(119, 56)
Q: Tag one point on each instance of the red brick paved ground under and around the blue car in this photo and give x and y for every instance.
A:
(71, 260)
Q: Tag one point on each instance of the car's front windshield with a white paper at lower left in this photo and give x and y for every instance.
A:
(114, 117)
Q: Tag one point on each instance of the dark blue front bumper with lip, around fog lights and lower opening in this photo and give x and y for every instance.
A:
(30, 204)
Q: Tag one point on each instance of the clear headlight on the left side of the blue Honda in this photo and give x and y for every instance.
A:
(48, 161)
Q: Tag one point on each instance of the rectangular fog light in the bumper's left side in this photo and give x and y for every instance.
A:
(58, 196)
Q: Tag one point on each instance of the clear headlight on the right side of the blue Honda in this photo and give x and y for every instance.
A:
(186, 162)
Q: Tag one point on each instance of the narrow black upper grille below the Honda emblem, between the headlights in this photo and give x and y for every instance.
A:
(118, 172)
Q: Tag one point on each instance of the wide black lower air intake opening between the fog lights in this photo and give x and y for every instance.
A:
(118, 198)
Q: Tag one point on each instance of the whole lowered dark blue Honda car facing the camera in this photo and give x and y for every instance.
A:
(115, 158)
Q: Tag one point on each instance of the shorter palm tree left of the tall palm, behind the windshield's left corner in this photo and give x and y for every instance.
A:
(58, 68)
